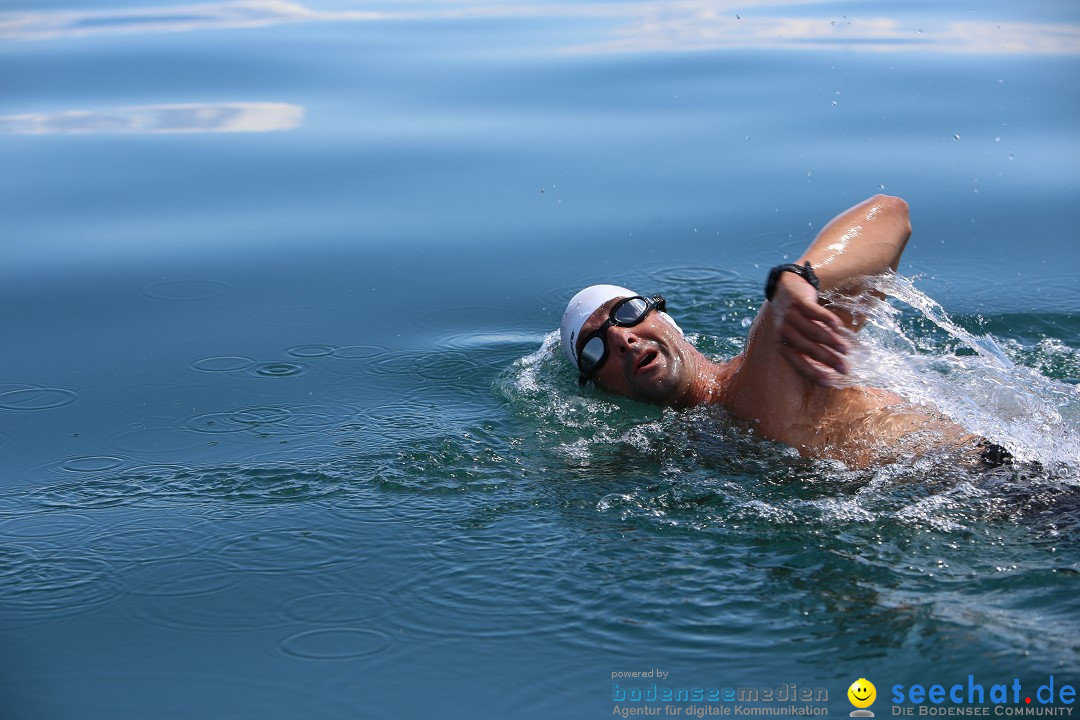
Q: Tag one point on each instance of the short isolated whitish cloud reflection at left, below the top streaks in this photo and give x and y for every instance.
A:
(161, 119)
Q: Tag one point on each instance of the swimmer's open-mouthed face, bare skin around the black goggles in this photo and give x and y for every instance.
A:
(646, 362)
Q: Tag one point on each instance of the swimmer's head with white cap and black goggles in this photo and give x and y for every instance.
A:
(627, 345)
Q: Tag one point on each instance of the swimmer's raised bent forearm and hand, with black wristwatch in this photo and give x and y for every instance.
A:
(867, 240)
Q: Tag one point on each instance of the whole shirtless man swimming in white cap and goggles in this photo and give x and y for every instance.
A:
(788, 382)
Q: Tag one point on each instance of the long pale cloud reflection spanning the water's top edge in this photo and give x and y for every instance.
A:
(681, 26)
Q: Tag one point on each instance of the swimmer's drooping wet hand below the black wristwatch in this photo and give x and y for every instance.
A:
(813, 339)
